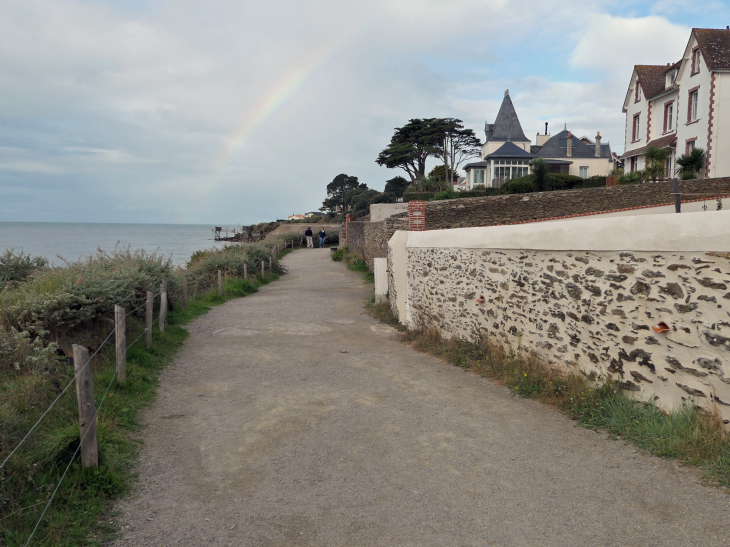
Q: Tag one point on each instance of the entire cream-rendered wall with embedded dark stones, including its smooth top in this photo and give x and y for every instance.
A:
(658, 321)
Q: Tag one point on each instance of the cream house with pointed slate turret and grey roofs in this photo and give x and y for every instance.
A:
(507, 153)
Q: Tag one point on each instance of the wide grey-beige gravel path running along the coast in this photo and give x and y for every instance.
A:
(292, 418)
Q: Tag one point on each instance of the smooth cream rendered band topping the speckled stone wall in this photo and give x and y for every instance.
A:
(704, 231)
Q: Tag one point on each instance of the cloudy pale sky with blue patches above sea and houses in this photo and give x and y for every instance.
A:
(232, 112)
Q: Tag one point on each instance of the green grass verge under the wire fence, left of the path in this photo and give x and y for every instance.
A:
(79, 514)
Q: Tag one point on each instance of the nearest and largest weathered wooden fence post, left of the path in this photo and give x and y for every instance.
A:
(87, 409)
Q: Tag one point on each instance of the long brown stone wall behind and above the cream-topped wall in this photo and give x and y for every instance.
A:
(507, 209)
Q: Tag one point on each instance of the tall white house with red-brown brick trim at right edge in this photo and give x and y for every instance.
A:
(677, 106)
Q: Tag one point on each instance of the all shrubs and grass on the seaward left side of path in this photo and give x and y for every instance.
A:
(43, 311)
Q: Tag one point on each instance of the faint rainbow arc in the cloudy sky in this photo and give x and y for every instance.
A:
(280, 93)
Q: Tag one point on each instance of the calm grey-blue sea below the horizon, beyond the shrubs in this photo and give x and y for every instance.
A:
(59, 241)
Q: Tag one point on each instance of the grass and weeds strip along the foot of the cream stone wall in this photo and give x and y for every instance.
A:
(687, 434)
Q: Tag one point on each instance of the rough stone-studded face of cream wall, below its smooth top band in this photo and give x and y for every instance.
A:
(591, 312)
